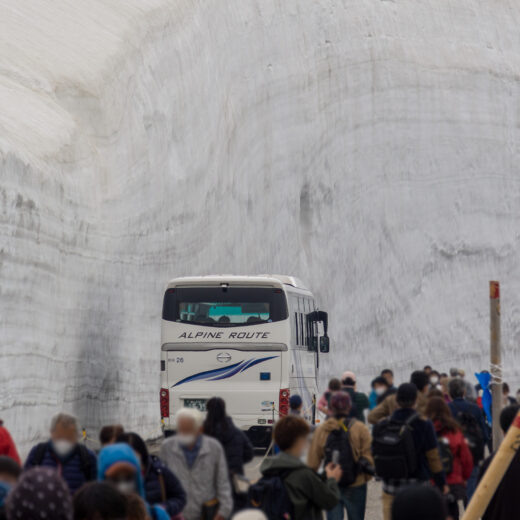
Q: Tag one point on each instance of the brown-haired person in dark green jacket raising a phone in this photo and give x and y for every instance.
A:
(309, 492)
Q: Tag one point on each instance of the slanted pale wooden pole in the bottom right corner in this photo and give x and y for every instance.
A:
(494, 474)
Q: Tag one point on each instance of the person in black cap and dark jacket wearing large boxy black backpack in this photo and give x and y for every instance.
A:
(429, 465)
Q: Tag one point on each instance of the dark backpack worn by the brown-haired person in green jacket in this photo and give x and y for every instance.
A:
(270, 496)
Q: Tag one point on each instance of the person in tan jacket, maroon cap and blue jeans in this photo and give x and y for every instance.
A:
(352, 498)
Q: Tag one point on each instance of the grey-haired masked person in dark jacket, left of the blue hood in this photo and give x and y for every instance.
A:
(73, 461)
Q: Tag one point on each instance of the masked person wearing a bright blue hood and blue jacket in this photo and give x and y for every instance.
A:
(118, 465)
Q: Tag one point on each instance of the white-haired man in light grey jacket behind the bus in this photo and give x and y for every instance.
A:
(200, 464)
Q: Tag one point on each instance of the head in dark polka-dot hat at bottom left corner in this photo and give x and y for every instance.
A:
(40, 493)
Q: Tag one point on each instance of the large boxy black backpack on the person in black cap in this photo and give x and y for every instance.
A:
(393, 448)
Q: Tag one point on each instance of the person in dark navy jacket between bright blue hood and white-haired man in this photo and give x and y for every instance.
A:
(161, 485)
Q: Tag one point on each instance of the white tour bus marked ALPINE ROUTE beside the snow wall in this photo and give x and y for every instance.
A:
(252, 340)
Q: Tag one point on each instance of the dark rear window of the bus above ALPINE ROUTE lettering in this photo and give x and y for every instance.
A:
(224, 306)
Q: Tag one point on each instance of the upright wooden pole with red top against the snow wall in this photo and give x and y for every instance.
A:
(496, 361)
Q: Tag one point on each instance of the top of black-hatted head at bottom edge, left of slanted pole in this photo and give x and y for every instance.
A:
(424, 502)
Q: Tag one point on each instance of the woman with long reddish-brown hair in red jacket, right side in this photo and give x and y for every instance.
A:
(457, 460)
